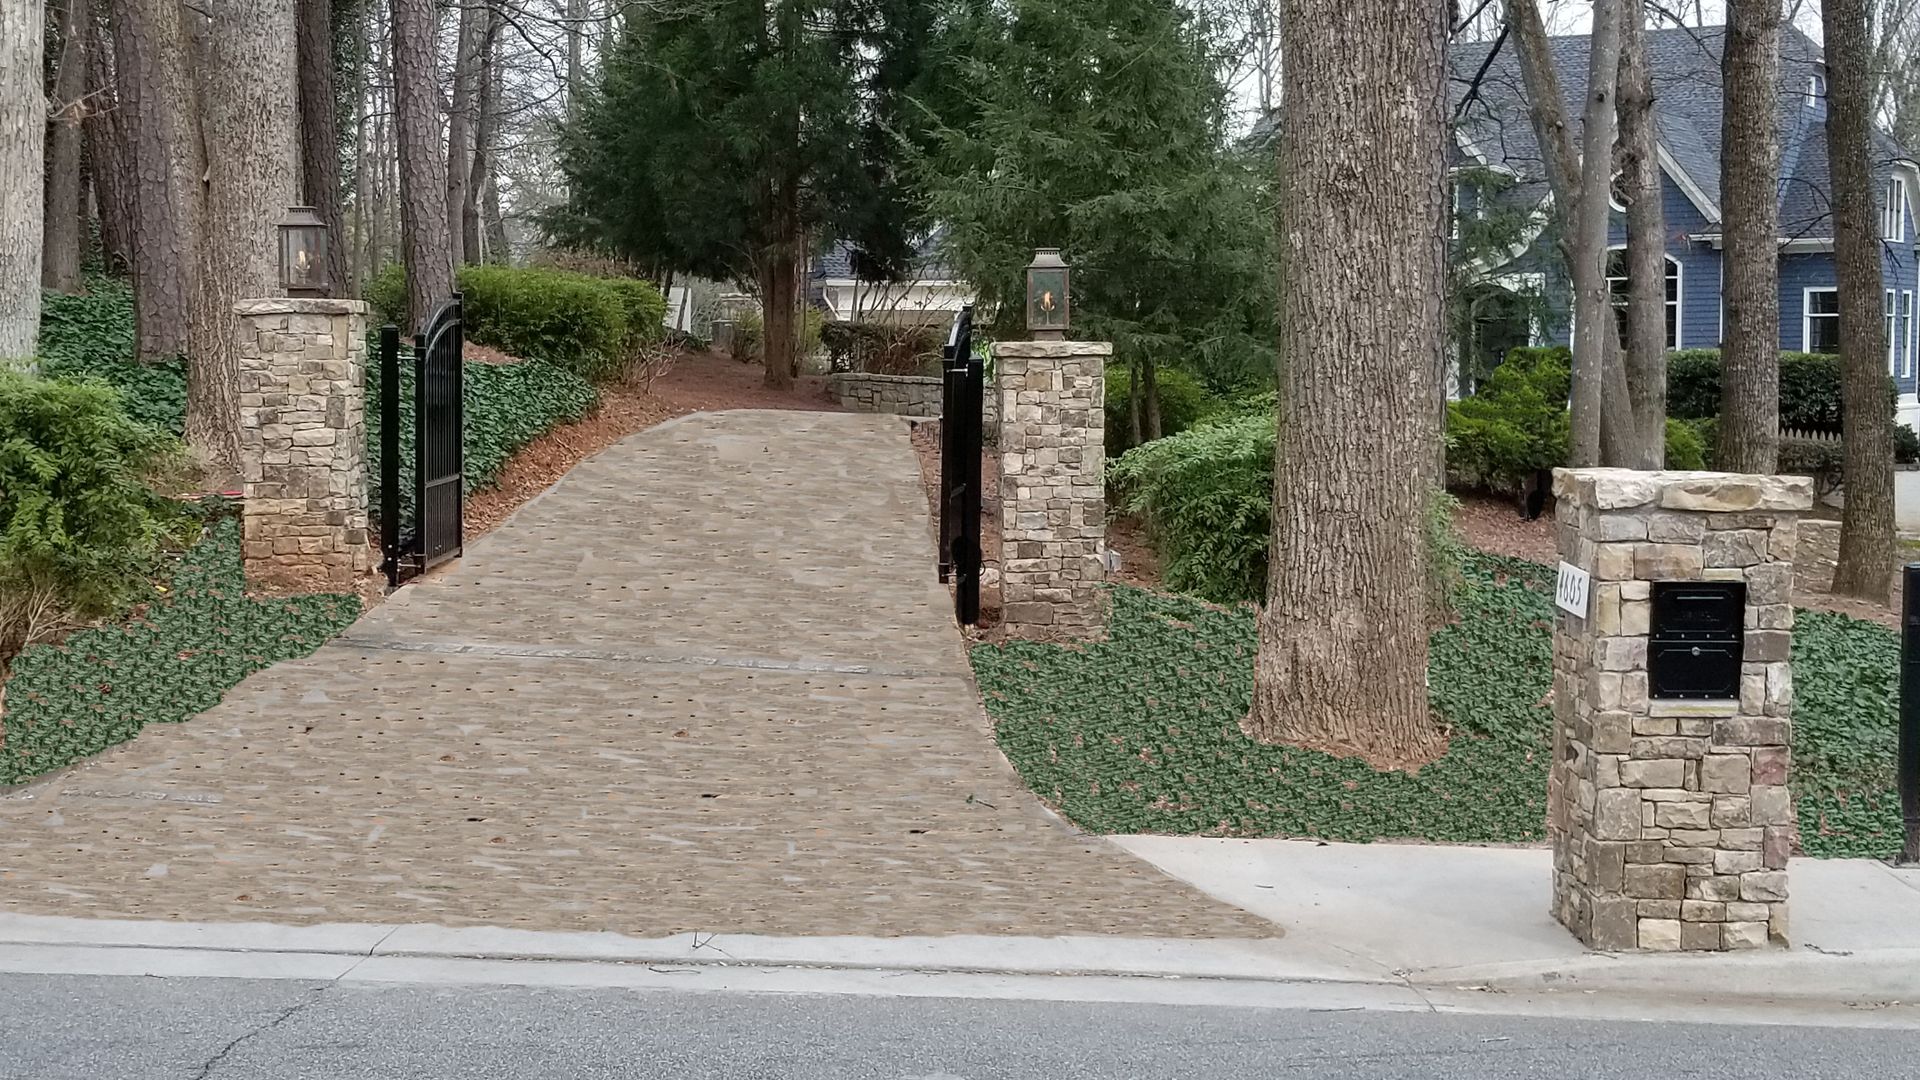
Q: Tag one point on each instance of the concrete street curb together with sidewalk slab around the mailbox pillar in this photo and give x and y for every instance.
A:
(1380, 925)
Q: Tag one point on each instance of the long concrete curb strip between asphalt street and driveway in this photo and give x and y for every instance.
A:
(1785, 975)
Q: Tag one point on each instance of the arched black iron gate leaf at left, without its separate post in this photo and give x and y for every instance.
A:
(437, 443)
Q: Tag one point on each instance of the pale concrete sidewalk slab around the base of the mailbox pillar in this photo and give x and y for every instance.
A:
(1437, 916)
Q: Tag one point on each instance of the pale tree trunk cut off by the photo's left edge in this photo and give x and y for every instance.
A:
(22, 160)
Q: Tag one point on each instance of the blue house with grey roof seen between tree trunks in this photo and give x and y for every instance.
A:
(1499, 170)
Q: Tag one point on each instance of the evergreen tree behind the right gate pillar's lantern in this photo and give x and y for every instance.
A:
(1099, 128)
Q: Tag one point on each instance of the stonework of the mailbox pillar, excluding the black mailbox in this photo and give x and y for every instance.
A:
(1671, 822)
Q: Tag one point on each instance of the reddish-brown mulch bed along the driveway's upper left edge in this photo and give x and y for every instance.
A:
(700, 381)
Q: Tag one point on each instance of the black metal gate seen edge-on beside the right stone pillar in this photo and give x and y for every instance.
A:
(965, 393)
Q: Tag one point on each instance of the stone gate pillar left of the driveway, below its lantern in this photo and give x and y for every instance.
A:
(304, 441)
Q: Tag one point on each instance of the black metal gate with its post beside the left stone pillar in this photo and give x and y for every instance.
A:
(439, 458)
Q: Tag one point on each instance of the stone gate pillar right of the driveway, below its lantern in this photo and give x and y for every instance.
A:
(1053, 474)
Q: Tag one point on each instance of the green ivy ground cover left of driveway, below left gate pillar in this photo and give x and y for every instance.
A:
(195, 641)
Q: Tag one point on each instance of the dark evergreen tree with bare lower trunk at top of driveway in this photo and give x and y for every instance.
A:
(729, 137)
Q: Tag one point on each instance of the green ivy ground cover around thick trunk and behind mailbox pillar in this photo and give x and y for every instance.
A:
(1141, 733)
